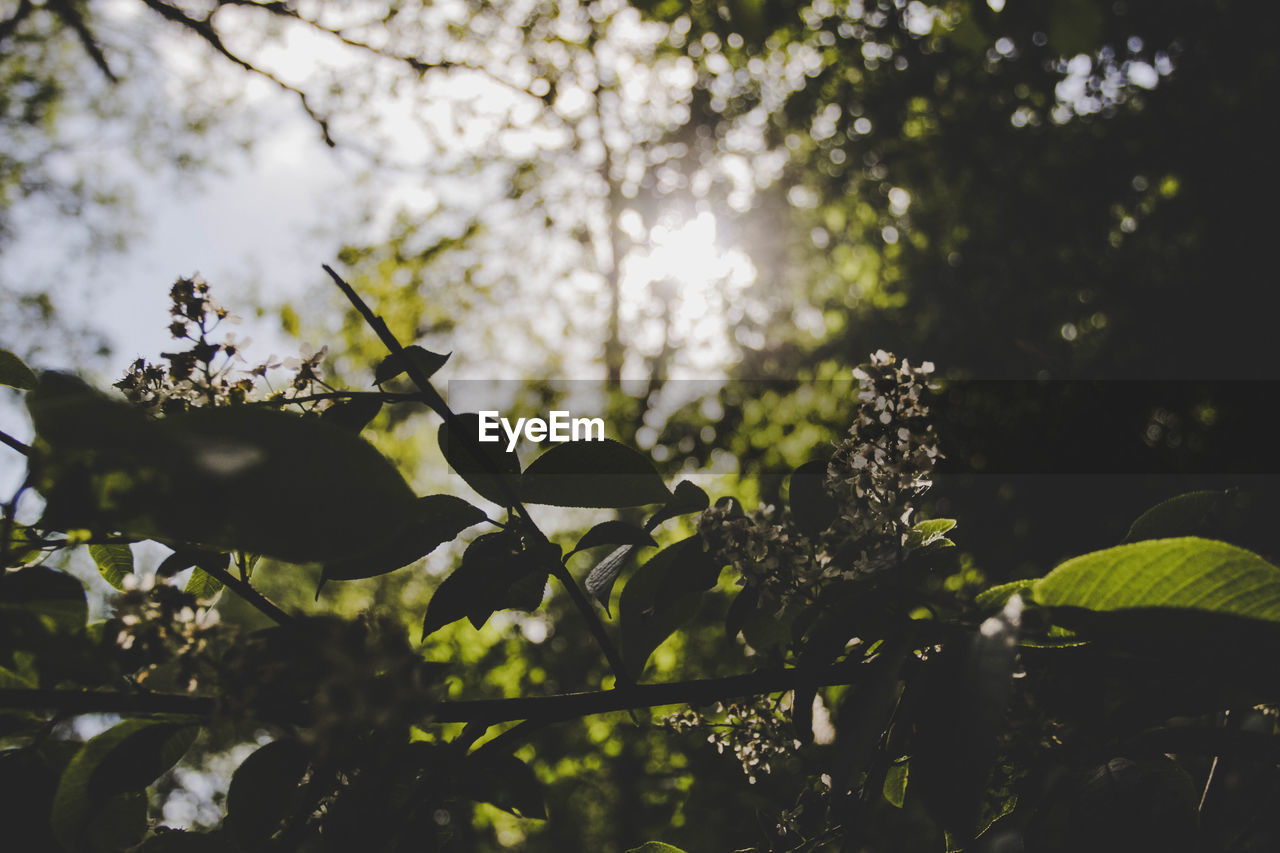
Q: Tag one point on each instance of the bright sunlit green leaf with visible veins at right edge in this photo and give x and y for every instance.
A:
(1186, 573)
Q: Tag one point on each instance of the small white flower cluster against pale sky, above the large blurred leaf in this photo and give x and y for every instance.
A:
(208, 373)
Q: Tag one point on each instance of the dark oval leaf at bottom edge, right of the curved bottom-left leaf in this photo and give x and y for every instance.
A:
(266, 791)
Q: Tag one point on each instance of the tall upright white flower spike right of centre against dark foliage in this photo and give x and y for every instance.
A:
(885, 464)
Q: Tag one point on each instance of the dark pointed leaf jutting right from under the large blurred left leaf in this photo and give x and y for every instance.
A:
(441, 519)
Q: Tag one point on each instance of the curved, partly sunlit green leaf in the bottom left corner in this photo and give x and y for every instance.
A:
(121, 761)
